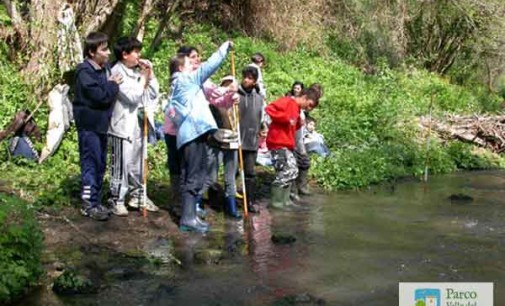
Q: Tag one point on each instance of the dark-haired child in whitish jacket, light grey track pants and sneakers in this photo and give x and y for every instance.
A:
(138, 93)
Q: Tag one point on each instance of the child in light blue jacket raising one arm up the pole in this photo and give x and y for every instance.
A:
(189, 110)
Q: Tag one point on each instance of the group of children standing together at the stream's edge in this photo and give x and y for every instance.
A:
(204, 124)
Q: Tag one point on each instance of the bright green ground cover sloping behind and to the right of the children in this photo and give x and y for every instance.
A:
(369, 121)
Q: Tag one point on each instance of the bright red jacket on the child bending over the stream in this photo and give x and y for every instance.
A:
(285, 116)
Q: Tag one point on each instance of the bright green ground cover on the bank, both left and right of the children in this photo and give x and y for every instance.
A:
(369, 121)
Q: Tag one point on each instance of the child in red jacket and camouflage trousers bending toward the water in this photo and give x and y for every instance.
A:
(284, 115)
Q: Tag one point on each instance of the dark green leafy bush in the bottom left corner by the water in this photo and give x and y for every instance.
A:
(20, 248)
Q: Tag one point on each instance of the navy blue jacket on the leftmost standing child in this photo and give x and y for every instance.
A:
(94, 97)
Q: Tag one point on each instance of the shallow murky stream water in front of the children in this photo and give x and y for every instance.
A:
(352, 248)
